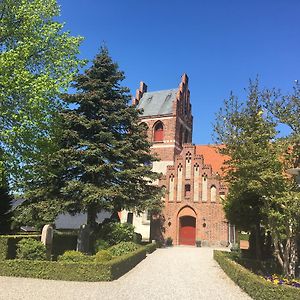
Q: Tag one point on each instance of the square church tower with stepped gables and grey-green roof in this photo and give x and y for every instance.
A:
(168, 116)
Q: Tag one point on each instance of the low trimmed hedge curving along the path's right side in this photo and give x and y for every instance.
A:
(258, 288)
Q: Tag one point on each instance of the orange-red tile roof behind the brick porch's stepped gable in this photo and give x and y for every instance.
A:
(212, 157)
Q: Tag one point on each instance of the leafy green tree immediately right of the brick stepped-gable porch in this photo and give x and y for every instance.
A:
(253, 169)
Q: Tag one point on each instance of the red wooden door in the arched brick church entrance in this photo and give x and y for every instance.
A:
(187, 231)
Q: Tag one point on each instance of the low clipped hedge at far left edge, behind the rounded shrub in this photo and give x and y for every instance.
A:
(8, 244)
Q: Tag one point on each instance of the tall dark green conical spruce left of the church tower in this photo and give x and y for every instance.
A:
(104, 161)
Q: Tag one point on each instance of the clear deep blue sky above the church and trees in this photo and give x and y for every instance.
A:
(220, 44)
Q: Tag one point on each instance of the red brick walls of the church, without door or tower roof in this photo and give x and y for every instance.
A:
(193, 187)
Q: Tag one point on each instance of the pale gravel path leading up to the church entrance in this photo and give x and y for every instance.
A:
(174, 273)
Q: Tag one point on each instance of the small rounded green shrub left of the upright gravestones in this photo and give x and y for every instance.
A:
(31, 249)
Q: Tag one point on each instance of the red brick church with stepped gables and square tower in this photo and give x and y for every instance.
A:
(191, 173)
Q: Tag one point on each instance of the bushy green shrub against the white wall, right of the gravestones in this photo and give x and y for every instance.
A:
(115, 233)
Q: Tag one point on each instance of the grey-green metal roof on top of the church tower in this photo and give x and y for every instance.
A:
(157, 103)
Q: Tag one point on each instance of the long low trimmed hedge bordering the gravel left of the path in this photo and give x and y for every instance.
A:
(83, 271)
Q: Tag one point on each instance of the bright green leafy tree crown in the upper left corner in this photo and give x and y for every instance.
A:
(37, 60)
